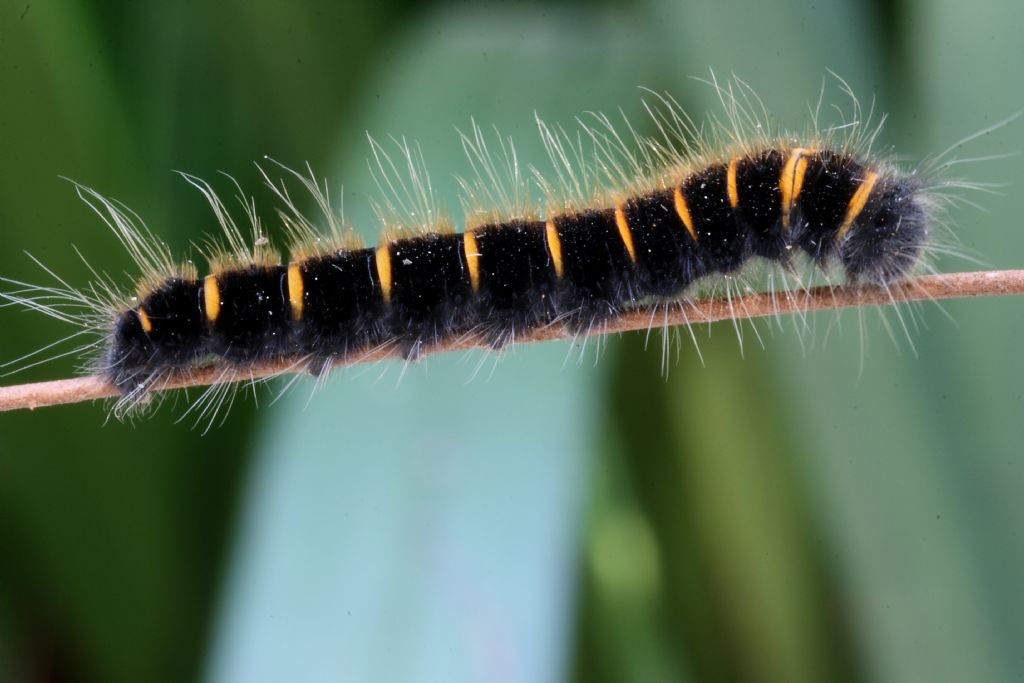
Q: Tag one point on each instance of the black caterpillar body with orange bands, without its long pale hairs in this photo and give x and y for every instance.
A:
(498, 280)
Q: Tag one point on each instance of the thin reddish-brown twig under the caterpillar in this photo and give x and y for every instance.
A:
(931, 288)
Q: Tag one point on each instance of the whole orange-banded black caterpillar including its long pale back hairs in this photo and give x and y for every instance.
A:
(631, 223)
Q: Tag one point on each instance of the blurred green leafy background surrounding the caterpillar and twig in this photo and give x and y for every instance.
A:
(778, 514)
